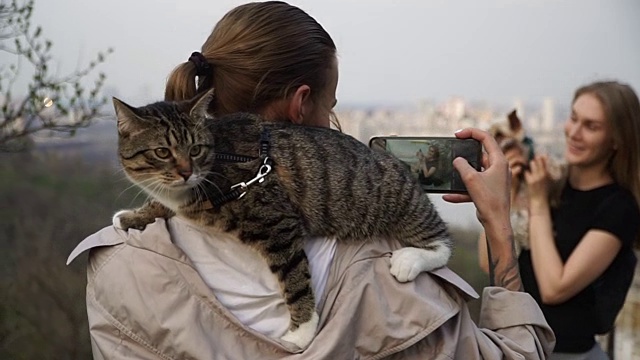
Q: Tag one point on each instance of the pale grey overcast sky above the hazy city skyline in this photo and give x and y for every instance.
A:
(389, 51)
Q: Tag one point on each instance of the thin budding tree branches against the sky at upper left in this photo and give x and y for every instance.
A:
(53, 104)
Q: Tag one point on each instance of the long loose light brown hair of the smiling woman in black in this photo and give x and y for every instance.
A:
(622, 109)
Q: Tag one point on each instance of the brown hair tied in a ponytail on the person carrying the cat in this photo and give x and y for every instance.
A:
(258, 53)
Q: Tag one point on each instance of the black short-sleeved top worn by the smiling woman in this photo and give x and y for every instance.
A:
(610, 208)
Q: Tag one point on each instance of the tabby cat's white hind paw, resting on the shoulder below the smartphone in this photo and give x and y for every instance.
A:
(407, 263)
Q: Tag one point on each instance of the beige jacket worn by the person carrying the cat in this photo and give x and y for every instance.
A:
(145, 300)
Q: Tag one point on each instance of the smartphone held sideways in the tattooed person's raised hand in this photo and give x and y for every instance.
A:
(430, 159)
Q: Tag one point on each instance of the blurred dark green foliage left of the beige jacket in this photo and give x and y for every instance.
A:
(49, 204)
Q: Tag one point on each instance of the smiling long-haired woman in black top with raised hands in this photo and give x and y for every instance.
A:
(581, 261)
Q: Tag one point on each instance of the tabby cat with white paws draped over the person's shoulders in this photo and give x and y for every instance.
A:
(275, 184)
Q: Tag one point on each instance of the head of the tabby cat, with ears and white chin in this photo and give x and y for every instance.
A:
(165, 147)
